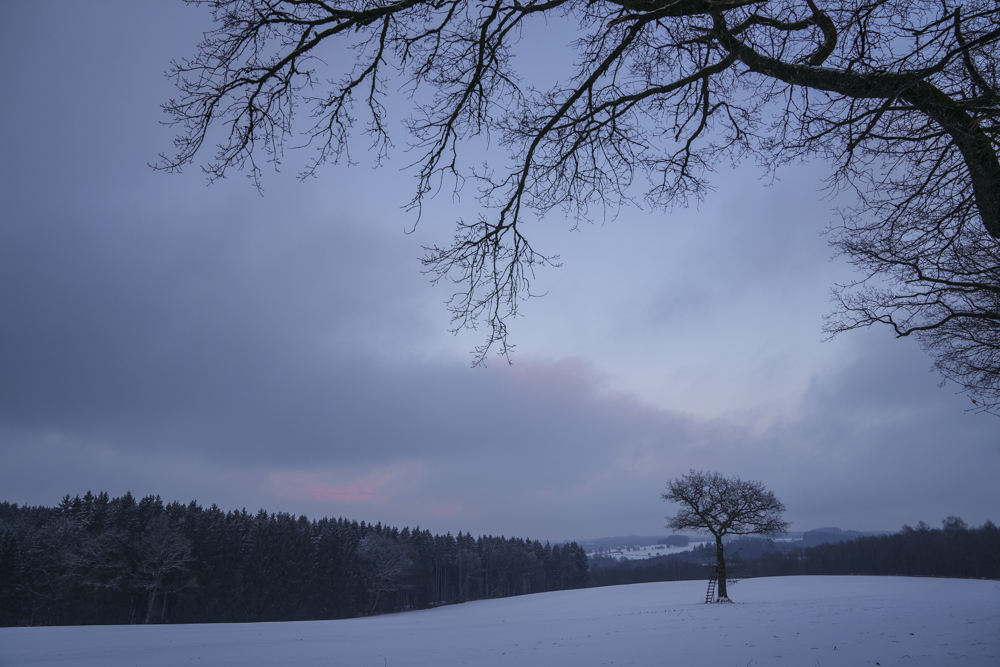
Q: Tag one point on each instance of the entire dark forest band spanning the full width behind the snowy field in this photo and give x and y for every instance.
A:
(101, 560)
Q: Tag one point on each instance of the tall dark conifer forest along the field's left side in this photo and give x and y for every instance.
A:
(101, 560)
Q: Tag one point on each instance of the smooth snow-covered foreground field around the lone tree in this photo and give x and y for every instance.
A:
(802, 621)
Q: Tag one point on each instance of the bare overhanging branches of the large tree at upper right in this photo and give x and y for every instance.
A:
(901, 98)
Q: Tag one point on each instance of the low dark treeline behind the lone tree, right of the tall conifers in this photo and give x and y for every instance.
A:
(955, 550)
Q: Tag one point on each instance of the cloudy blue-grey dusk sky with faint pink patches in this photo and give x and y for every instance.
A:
(284, 352)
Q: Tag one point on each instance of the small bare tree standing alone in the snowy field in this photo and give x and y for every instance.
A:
(724, 506)
